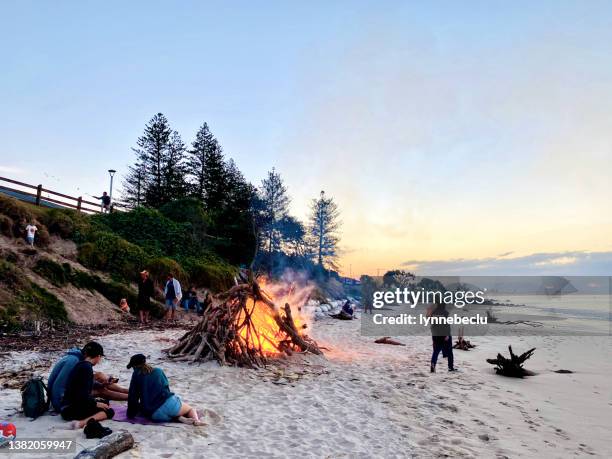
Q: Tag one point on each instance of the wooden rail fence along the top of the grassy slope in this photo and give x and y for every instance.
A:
(40, 196)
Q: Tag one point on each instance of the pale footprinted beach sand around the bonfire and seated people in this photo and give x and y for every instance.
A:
(369, 400)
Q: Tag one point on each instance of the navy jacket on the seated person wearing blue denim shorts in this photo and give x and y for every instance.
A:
(147, 392)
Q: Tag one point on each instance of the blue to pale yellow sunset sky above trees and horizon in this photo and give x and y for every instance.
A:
(449, 133)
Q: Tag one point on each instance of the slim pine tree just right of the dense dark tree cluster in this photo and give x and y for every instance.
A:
(275, 206)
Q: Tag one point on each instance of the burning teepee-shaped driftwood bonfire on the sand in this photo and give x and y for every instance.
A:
(243, 330)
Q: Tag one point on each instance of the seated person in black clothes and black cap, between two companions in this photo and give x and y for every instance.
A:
(78, 403)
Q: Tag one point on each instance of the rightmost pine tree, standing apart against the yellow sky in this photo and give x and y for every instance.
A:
(324, 226)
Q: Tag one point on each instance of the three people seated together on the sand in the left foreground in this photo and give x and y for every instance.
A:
(82, 396)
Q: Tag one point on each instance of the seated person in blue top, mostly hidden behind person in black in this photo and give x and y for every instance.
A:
(104, 385)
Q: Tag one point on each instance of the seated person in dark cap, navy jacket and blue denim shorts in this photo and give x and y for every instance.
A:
(150, 395)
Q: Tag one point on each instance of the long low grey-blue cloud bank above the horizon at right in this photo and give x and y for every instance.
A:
(575, 263)
